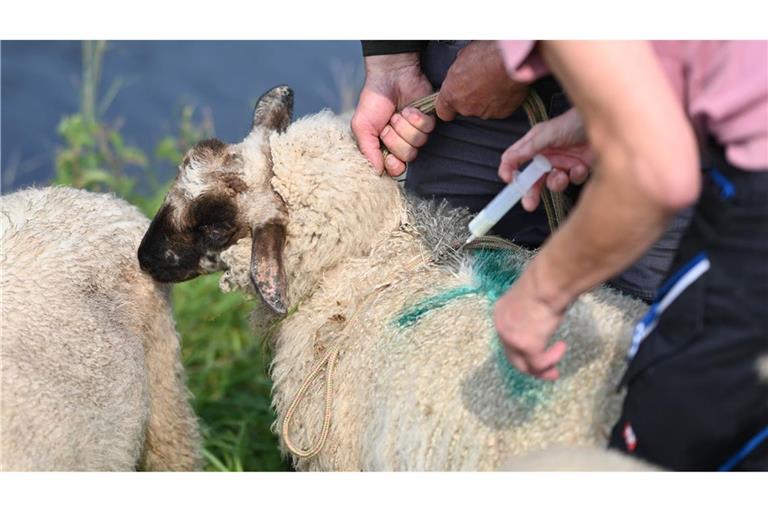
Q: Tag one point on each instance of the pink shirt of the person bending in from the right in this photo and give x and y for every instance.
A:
(723, 86)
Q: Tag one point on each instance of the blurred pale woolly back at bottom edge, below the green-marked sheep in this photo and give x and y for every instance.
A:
(578, 458)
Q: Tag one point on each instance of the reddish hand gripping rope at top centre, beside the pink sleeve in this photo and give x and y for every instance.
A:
(477, 84)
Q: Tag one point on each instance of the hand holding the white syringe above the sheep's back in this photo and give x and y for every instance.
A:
(563, 141)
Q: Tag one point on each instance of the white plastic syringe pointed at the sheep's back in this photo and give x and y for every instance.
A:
(508, 197)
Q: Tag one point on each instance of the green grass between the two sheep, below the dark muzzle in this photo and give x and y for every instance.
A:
(226, 367)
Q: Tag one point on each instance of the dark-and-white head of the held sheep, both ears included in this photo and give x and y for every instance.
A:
(221, 194)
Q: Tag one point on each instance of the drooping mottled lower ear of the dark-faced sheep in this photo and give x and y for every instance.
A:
(267, 272)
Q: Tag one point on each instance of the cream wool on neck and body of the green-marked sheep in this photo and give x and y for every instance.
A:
(434, 395)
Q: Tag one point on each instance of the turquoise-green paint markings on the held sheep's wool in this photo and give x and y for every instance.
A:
(493, 272)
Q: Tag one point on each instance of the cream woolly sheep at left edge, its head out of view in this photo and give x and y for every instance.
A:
(90, 359)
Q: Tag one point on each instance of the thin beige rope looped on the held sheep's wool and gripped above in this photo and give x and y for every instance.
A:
(556, 208)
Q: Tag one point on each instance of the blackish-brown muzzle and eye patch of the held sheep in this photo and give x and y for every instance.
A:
(180, 247)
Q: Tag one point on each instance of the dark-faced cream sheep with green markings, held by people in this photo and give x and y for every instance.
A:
(357, 277)
